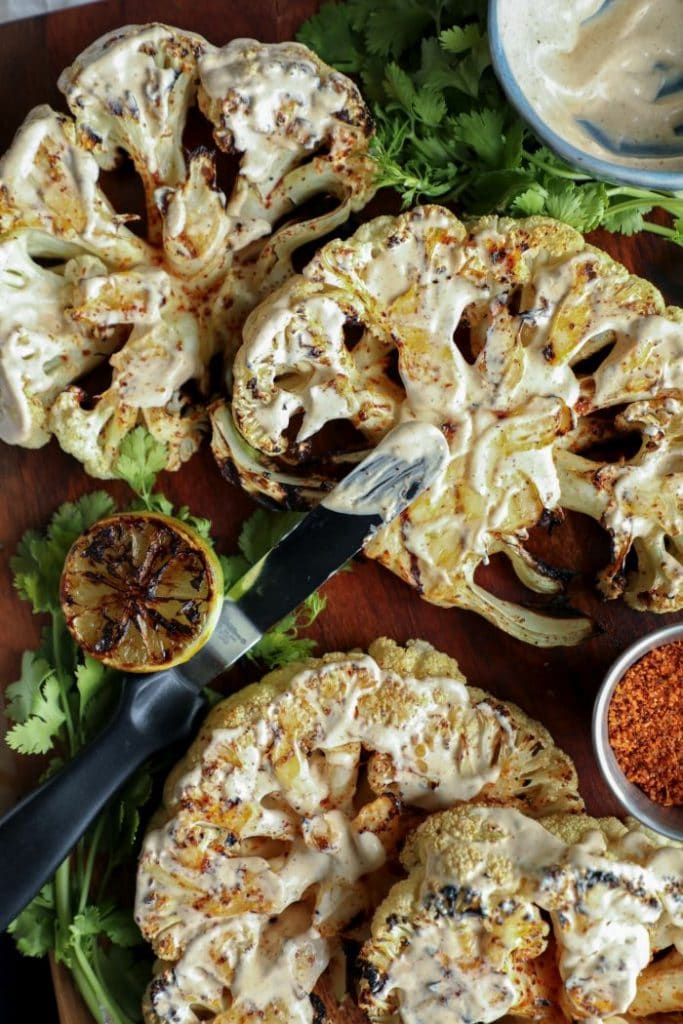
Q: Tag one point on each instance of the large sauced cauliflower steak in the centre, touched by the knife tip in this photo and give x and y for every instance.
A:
(485, 332)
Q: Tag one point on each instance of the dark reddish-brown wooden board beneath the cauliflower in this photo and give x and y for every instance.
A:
(558, 687)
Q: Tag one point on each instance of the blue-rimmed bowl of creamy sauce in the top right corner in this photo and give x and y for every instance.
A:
(600, 81)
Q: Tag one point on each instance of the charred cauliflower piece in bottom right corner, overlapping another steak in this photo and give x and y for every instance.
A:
(466, 938)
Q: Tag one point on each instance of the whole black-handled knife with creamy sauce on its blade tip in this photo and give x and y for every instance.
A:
(162, 708)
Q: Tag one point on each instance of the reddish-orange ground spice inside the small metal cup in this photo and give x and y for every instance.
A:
(646, 723)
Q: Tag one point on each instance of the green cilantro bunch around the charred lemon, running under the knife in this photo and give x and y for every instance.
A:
(61, 703)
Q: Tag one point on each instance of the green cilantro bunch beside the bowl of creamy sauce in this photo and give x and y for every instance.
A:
(445, 129)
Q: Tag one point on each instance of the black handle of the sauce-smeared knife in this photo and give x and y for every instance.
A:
(40, 832)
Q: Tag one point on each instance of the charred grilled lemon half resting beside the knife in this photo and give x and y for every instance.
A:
(142, 591)
